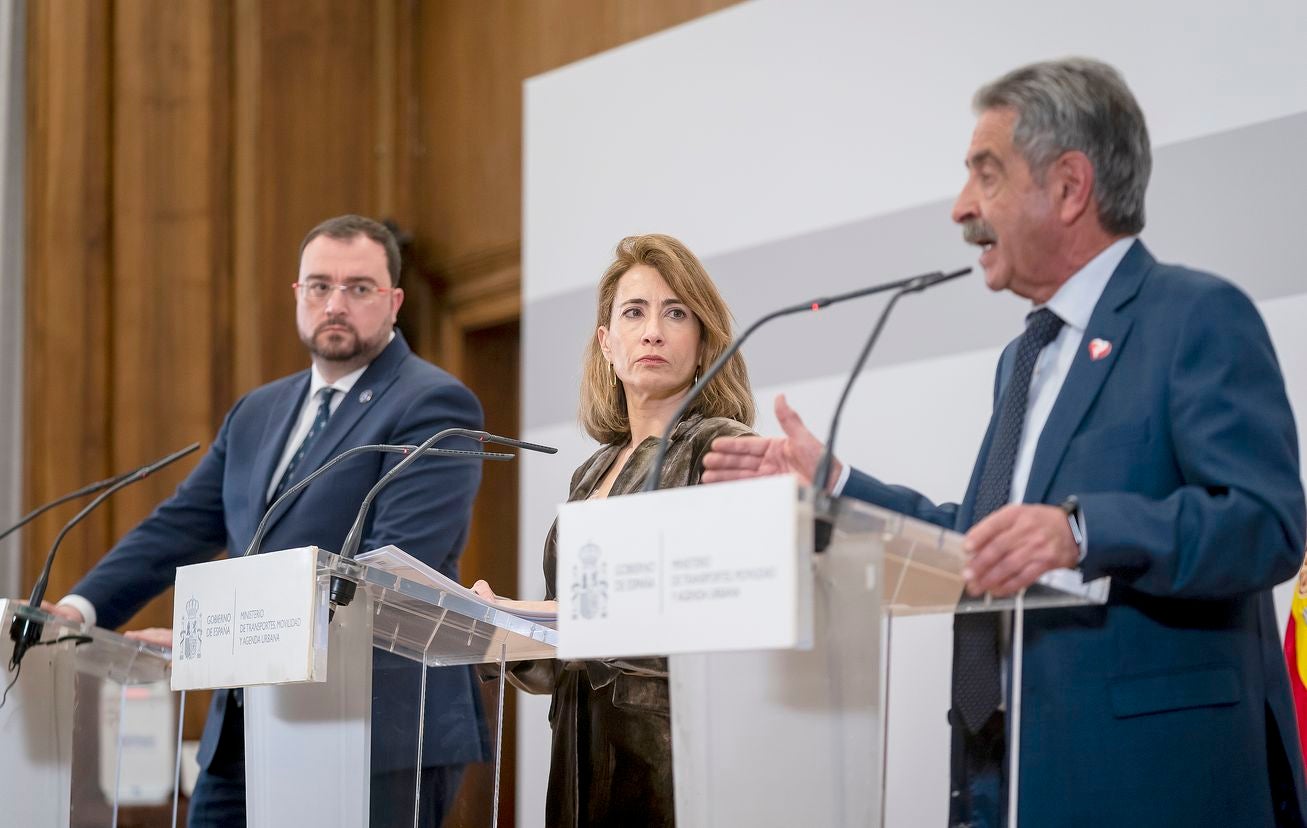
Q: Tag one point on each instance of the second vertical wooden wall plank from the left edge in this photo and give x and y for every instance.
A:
(172, 381)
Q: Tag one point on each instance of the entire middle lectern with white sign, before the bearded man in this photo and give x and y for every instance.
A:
(310, 736)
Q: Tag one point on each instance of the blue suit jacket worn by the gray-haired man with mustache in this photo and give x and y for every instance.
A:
(1170, 706)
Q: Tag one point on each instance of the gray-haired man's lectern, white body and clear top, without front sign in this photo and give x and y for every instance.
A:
(853, 732)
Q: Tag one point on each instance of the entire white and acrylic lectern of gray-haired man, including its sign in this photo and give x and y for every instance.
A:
(807, 736)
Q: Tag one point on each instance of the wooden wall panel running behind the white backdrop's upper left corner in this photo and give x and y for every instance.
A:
(474, 61)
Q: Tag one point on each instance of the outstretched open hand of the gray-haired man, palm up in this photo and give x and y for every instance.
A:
(799, 453)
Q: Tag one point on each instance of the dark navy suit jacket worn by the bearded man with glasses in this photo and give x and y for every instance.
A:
(425, 513)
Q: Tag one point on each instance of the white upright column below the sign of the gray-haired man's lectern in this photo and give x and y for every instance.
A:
(806, 724)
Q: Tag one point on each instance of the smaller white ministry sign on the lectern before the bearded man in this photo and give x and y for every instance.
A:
(249, 621)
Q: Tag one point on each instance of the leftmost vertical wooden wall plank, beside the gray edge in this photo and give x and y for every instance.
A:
(69, 292)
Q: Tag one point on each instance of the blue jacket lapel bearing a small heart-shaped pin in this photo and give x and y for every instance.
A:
(1087, 377)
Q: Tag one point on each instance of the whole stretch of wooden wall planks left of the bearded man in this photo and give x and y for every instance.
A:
(178, 152)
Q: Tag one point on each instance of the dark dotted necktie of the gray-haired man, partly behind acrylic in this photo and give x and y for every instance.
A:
(977, 682)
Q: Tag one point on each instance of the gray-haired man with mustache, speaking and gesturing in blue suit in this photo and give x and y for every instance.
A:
(1140, 432)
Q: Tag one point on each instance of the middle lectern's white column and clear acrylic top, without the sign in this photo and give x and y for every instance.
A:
(309, 746)
